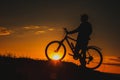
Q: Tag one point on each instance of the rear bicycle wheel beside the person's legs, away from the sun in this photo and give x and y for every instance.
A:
(93, 57)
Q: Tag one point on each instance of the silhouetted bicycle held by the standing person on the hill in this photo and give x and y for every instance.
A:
(93, 54)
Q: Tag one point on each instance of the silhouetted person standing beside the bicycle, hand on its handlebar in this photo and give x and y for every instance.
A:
(84, 32)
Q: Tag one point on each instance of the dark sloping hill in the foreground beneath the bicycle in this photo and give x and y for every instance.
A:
(29, 69)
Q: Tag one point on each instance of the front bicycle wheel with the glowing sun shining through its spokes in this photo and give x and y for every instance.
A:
(55, 50)
